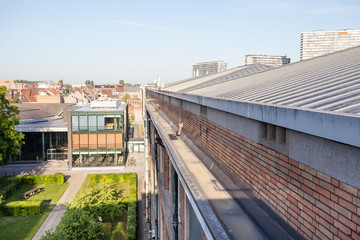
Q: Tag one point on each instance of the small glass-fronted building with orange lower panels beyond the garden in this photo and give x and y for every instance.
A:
(99, 134)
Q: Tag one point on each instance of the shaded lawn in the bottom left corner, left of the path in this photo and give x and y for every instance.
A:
(23, 227)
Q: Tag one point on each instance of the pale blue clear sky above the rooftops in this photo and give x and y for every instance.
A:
(106, 41)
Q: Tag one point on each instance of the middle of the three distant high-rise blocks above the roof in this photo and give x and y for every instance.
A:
(275, 61)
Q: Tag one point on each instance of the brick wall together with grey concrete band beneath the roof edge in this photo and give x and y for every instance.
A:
(307, 187)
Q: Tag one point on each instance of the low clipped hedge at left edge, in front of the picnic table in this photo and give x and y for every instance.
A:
(20, 208)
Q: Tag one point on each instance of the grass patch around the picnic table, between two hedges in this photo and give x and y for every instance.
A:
(51, 193)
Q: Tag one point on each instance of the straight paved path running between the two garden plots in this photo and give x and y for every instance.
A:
(54, 218)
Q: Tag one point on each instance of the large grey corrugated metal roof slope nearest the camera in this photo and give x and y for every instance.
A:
(326, 83)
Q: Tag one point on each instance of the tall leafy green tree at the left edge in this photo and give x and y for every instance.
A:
(10, 139)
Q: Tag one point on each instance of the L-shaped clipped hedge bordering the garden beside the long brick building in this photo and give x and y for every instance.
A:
(132, 200)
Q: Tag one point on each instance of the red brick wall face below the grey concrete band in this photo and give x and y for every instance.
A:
(316, 205)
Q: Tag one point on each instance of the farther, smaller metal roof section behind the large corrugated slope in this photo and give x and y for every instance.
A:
(191, 84)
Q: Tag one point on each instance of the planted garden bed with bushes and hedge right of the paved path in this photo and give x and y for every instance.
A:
(113, 197)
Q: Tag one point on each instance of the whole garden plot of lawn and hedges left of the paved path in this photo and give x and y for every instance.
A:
(19, 226)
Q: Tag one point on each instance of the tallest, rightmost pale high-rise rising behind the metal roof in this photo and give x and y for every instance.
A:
(317, 43)
